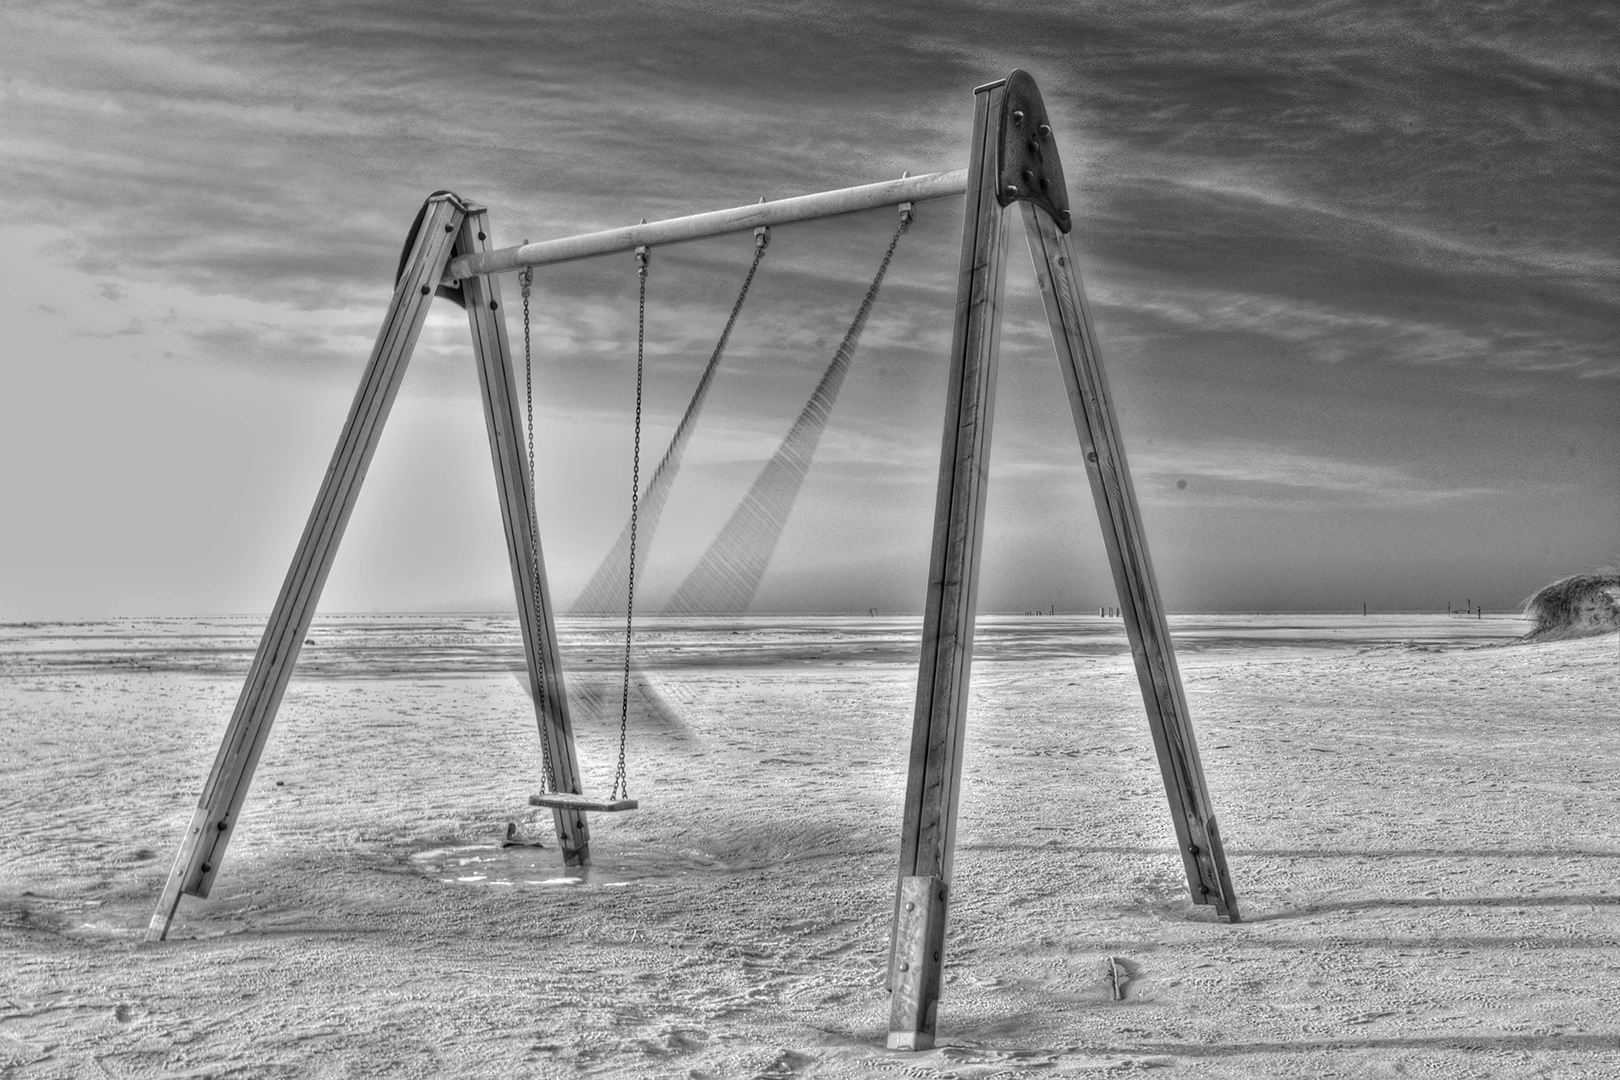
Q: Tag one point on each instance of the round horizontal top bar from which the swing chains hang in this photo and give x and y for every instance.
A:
(738, 219)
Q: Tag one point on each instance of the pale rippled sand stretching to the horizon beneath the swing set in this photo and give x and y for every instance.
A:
(1420, 820)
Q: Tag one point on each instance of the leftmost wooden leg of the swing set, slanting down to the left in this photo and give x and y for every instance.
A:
(228, 784)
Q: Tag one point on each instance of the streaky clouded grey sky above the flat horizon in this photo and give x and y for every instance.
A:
(1355, 271)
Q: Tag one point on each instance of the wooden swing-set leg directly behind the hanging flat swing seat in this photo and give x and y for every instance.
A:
(518, 516)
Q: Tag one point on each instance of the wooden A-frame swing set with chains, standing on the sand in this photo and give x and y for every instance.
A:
(1013, 158)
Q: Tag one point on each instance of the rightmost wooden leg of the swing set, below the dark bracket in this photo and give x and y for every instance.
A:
(1198, 836)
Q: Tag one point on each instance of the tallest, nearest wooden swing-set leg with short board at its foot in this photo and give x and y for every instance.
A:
(932, 786)
